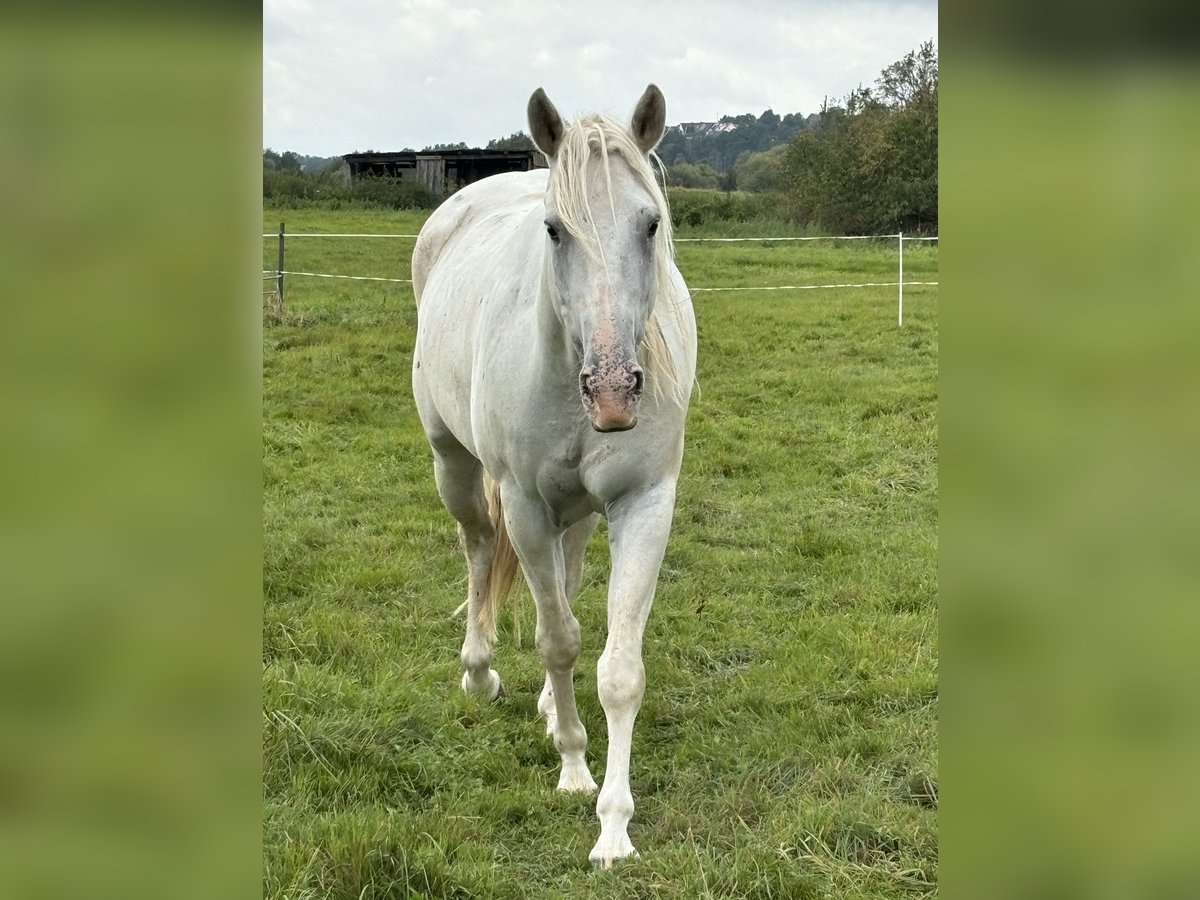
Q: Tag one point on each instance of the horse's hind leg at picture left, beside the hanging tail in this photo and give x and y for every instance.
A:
(460, 479)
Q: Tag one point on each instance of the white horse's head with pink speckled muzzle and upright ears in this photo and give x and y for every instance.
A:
(608, 235)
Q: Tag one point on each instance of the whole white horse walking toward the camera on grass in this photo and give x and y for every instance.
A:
(553, 321)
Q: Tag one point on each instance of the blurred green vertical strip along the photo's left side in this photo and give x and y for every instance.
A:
(130, 538)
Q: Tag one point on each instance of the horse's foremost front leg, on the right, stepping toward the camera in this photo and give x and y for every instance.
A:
(639, 527)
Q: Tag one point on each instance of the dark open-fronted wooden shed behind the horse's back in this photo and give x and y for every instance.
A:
(440, 171)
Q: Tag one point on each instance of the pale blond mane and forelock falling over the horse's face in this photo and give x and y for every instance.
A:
(601, 136)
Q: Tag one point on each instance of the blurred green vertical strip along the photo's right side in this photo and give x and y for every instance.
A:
(1070, 441)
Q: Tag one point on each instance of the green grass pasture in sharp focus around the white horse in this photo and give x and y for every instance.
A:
(787, 747)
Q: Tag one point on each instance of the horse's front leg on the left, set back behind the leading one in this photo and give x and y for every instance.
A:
(539, 545)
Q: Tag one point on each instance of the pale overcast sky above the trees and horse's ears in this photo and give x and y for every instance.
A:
(375, 75)
